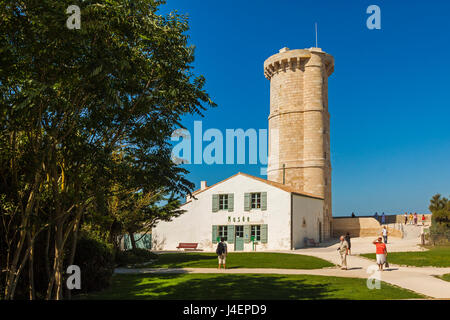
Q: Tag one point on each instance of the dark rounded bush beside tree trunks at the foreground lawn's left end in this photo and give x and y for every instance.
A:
(96, 261)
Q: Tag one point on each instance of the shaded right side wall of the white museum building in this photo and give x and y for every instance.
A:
(312, 210)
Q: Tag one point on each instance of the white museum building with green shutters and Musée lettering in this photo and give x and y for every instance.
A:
(249, 212)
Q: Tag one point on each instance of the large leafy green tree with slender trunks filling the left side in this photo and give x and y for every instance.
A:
(70, 100)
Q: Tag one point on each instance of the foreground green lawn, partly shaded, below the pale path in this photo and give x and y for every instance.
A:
(244, 286)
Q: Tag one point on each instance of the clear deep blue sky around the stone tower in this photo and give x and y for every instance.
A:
(388, 97)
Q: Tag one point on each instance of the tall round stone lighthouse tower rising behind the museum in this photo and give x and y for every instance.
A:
(299, 124)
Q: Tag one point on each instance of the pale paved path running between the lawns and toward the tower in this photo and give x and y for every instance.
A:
(421, 280)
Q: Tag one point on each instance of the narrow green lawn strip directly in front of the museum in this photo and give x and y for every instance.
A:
(239, 260)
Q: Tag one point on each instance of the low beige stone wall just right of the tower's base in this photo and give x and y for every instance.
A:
(361, 227)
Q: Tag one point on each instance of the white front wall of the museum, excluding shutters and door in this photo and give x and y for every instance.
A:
(196, 224)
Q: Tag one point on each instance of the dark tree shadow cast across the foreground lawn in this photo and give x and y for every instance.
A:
(214, 287)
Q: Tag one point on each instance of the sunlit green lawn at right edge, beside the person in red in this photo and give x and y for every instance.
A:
(435, 256)
